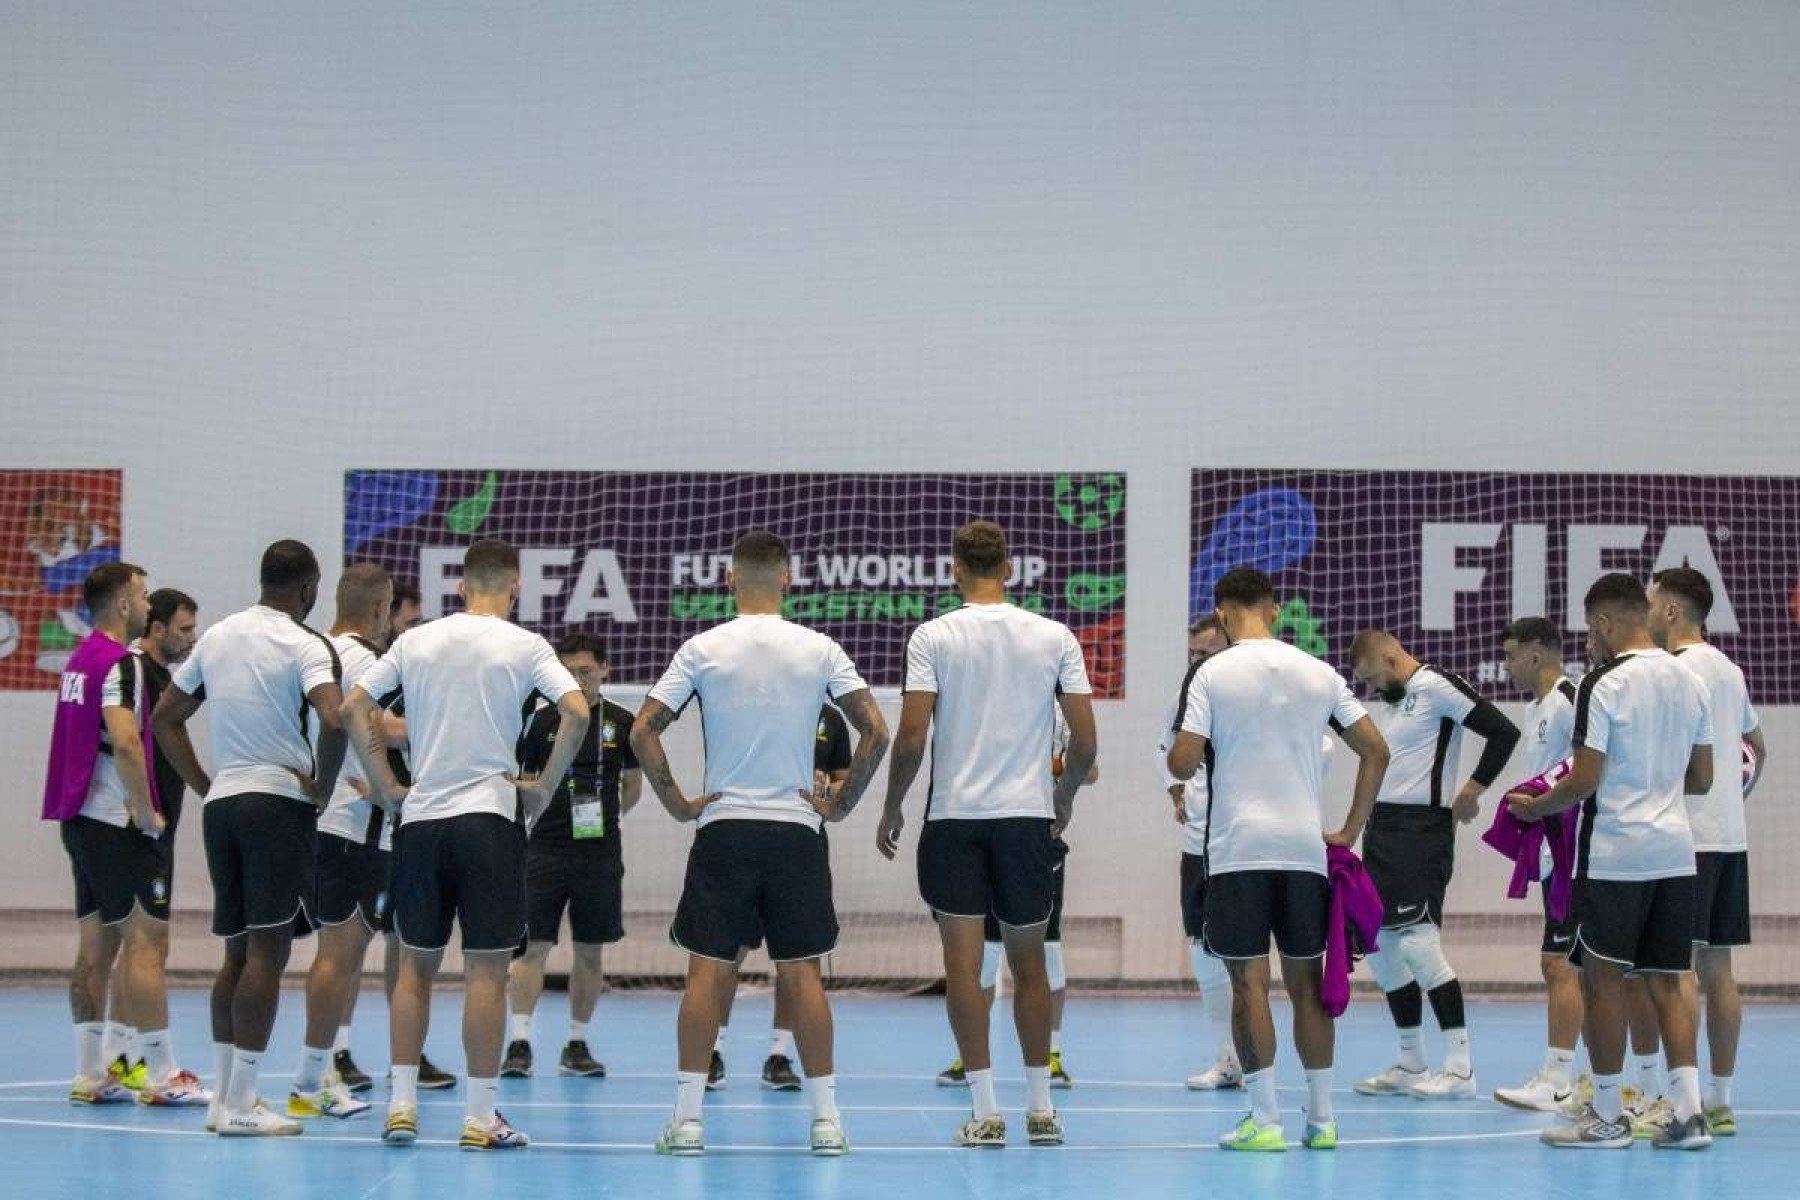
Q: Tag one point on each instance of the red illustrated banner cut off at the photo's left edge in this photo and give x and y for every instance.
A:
(55, 528)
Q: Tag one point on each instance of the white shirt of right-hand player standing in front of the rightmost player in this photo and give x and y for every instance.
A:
(1646, 713)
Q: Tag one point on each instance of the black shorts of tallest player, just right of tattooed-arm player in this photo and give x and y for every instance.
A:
(971, 868)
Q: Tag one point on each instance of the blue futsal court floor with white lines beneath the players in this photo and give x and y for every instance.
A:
(1133, 1129)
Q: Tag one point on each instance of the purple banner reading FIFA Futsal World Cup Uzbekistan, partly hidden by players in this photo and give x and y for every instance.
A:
(640, 559)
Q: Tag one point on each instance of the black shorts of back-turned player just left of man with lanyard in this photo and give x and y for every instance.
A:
(467, 872)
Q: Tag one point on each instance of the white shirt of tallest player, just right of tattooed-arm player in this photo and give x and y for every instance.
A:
(996, 672)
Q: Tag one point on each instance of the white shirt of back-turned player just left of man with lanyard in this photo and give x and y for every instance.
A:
(469, 683)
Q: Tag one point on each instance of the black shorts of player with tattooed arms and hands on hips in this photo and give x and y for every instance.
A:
(753, 881)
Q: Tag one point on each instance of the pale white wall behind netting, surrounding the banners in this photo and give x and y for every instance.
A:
(244, 247)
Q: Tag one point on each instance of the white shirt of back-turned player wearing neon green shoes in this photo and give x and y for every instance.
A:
(1264, 706)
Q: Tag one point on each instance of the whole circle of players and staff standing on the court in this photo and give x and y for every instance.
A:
(521, 771)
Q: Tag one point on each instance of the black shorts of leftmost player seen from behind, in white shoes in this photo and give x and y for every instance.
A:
(260, 855)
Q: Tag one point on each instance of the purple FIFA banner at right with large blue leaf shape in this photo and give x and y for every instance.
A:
(1448, 559)
